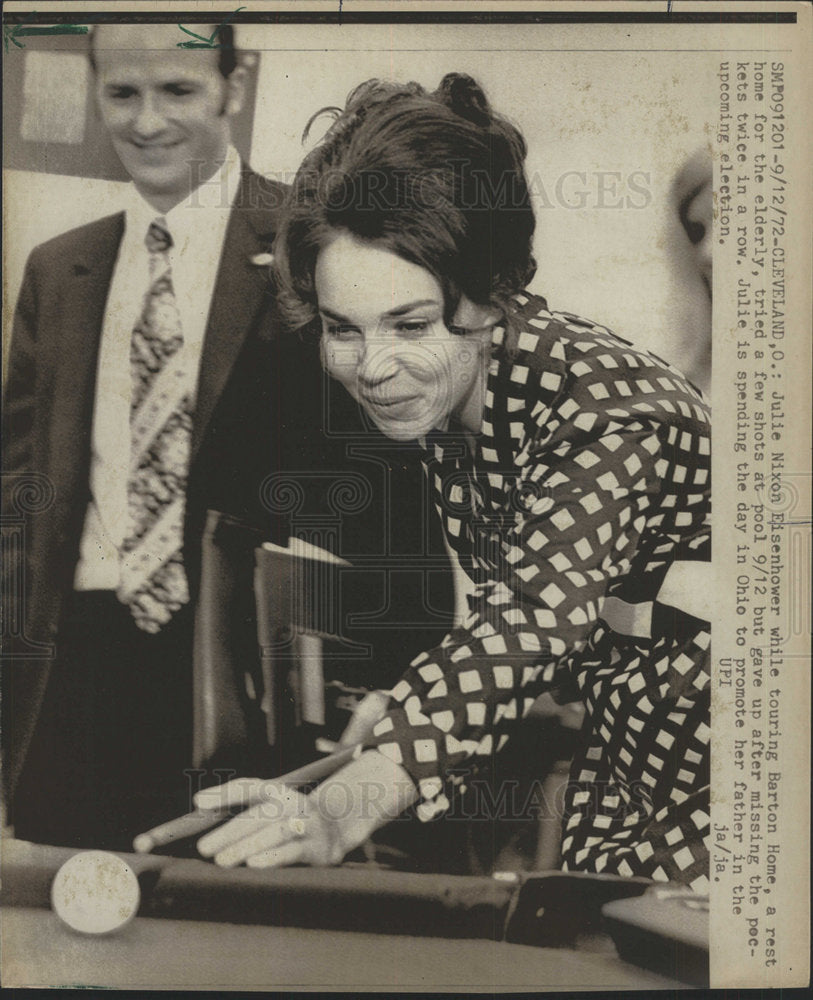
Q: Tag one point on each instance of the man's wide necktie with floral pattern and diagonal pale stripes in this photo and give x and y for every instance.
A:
(153, 580)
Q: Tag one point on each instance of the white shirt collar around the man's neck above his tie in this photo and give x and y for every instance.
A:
(194, 213)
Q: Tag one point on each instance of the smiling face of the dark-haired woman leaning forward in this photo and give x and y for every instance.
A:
(385, 340)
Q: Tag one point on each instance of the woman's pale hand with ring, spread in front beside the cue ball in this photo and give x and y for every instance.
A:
(284, 827)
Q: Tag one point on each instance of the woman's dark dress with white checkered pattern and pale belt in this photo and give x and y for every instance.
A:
(590, 483)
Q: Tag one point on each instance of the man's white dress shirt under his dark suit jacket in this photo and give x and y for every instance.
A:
(198, 227)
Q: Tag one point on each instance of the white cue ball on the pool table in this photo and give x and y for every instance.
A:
(95, 892)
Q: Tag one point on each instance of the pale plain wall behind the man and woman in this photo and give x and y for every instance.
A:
(607, 131)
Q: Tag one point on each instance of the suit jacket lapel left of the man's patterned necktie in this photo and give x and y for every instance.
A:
(77, 353)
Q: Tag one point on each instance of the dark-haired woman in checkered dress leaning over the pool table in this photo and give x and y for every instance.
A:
(571, 473)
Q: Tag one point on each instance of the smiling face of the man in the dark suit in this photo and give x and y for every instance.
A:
(167, 109)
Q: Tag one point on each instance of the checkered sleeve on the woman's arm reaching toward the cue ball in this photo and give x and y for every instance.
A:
(575, 529)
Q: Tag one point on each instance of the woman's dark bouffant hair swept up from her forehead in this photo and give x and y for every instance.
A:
(435, 178)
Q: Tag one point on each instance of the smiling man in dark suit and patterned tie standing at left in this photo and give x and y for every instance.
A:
(143, 390)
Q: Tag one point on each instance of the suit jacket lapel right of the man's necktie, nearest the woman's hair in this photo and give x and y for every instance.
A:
(242, 291)
